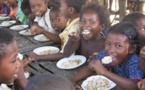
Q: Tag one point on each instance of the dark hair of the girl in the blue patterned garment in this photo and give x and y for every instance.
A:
(127, 29)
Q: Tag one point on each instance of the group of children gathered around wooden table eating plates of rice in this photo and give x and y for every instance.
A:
(82, 28)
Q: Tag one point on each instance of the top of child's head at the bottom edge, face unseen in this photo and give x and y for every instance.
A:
(49, 82)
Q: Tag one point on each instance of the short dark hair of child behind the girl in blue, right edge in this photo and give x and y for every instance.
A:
(133, 17)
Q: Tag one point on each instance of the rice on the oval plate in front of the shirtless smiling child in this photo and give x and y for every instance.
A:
(71, 63)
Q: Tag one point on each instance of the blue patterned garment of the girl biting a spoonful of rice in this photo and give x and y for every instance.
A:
(129, 69)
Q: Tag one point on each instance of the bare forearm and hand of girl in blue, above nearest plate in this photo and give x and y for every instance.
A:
(125, 83)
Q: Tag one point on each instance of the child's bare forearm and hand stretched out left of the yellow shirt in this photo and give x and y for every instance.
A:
(35, 29)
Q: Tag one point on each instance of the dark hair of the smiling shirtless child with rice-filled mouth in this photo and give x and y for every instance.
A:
(101, 11)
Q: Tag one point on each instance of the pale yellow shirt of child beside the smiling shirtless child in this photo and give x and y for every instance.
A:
(73, 26)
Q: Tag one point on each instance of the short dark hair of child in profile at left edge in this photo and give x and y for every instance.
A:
(6, 38)
